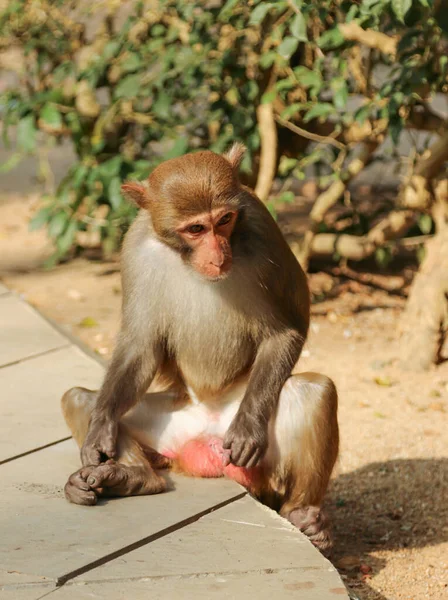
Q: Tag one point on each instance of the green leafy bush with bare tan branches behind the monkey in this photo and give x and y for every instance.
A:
(159, 80)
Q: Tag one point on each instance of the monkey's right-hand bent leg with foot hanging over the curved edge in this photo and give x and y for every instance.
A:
(303, 448)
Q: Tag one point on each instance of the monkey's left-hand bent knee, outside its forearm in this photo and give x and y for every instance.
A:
(77, 406)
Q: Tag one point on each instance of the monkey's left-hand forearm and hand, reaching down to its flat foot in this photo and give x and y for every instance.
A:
(129, 375)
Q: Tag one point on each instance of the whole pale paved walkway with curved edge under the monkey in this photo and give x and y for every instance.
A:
(205, 539)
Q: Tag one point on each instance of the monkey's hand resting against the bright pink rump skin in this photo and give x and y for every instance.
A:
(247, 440)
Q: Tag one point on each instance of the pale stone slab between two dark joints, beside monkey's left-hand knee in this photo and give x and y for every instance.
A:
(30, 412)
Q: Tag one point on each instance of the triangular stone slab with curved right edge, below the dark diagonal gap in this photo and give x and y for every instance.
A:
(239, 537)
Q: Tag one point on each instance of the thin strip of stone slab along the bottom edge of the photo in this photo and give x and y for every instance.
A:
(261, 585)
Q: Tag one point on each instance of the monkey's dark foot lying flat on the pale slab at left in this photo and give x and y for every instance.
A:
(111, 479)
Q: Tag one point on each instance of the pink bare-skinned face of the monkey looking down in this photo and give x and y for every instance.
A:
(208, 235)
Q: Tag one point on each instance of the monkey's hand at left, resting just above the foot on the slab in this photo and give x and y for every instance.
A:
(100, 442)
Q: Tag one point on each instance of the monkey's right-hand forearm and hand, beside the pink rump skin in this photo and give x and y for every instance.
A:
(247, 436)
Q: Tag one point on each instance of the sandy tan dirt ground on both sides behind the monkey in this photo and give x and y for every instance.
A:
(389, 495)
